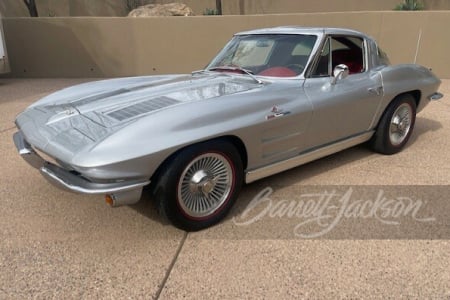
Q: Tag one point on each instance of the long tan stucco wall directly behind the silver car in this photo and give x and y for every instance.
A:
(96, 47)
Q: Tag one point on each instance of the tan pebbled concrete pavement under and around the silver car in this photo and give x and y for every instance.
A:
(64, 246)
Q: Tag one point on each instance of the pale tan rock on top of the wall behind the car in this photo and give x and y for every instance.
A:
(156, 10)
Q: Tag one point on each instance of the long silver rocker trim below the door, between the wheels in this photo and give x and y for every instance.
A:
(304, 158)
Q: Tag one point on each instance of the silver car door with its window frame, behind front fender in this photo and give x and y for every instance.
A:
(343, 107)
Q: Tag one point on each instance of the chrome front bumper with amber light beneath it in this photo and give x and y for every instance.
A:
(123, 193)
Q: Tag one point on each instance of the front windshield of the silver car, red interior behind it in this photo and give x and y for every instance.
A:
(275, 55)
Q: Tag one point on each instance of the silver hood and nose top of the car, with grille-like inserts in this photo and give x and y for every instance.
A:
(65, 122)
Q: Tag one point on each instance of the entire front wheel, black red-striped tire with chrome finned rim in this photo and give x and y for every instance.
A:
(197, 187)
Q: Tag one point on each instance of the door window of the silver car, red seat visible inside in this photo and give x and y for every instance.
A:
(338, 50)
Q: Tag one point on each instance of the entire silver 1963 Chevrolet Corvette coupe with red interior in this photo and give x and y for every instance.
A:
(271, 100)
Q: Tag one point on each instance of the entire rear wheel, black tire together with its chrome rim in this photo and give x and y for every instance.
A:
(396, 126)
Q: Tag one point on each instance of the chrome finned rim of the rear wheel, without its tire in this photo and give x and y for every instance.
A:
(400, 124)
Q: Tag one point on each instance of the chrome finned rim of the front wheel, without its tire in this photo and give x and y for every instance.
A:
(205, 185)
